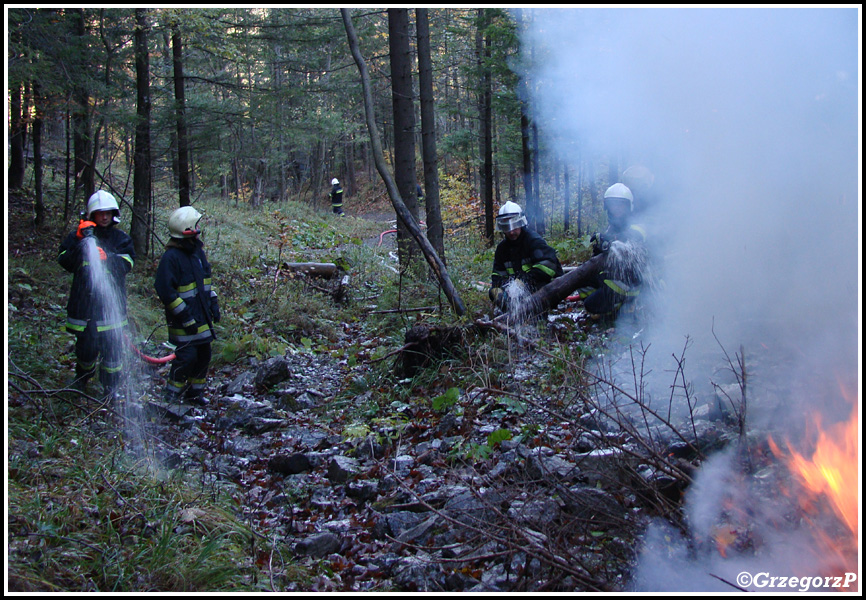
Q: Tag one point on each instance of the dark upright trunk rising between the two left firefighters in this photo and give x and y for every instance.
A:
(141, 198)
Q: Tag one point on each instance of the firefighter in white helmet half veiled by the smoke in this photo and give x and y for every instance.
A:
(624, 243)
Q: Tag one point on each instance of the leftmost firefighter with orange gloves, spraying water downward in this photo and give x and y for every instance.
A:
(96, 311)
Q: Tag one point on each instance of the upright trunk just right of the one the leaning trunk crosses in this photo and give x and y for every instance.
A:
(435, 229)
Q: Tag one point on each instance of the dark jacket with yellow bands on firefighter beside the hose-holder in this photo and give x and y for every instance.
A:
(183, 284)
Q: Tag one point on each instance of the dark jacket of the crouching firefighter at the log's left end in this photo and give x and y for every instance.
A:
(528, 258)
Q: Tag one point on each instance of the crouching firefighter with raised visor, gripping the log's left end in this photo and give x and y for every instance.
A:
(523, 255)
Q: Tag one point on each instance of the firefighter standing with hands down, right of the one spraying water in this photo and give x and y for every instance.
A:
(183, 284)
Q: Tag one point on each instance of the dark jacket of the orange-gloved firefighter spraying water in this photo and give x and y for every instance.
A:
(107, 307)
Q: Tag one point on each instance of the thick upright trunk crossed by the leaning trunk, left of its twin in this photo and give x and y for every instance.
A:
(404, 126)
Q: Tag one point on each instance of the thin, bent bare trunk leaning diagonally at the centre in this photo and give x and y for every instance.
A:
(378, 156)
